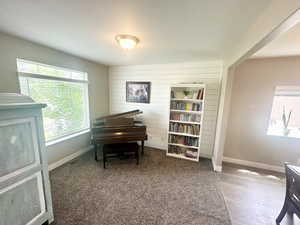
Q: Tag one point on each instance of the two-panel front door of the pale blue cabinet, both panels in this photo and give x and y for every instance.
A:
(21, 185)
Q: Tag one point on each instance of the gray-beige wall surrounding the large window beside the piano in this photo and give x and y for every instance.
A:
(12, 48)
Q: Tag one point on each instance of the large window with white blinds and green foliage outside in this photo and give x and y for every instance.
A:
(64, 91)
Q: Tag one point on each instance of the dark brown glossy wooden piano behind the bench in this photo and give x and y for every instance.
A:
(118, 128)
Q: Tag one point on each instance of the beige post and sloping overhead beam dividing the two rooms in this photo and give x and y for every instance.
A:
(275, 14)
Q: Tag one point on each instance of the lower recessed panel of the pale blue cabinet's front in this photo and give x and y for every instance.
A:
(23, 202)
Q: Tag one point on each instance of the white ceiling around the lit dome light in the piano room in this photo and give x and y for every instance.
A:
(169, 30)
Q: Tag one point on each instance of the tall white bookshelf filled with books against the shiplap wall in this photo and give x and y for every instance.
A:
(185, 121)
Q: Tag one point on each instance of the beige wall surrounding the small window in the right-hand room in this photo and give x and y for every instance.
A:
(251, 105)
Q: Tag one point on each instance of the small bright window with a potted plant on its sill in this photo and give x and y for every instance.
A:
(285, 115)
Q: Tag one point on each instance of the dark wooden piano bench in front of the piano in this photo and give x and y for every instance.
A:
(120, 150)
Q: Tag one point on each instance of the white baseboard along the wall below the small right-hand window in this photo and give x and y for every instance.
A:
(254, 164)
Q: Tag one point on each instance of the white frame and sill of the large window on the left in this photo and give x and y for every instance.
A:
(85, 82)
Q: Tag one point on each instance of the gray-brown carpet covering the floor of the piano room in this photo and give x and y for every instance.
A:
(159, 191)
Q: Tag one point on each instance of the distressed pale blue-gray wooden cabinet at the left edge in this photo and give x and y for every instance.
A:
(25, 196)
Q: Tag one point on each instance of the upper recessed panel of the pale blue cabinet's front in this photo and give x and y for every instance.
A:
(19, 149)
